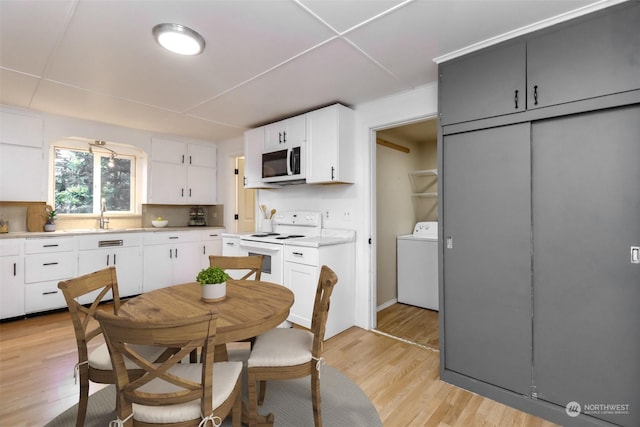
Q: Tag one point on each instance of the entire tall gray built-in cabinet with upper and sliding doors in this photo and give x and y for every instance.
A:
(540, 214)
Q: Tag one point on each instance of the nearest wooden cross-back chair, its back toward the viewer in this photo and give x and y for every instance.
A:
(173, 392)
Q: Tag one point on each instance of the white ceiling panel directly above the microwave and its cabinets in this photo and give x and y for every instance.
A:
(332, 72)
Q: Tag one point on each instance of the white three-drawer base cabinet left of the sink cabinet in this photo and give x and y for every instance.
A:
(47, 262)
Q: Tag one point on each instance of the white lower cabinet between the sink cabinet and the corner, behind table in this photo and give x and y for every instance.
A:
(171, 258)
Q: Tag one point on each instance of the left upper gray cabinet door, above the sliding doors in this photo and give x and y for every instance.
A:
(483, 85)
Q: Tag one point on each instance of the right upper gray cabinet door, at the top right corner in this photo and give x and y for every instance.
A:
(592, 58)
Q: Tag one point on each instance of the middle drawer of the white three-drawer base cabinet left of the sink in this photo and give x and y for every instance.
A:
(56, 266)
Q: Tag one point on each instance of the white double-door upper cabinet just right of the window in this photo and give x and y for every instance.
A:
(182, 173)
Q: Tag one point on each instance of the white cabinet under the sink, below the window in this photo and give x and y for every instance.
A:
(124, 251)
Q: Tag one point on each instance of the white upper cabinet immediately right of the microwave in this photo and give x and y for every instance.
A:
(330, 140)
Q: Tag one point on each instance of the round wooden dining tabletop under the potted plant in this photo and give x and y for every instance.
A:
(250, 308)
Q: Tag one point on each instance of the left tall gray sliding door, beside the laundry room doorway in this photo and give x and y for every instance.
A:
(487, 258)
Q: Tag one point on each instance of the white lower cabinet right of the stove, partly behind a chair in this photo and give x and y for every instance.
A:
(301, 272)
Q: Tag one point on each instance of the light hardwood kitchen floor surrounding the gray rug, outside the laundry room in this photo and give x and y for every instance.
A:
(37, 356)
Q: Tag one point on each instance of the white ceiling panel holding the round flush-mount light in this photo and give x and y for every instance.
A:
(123, 60)
